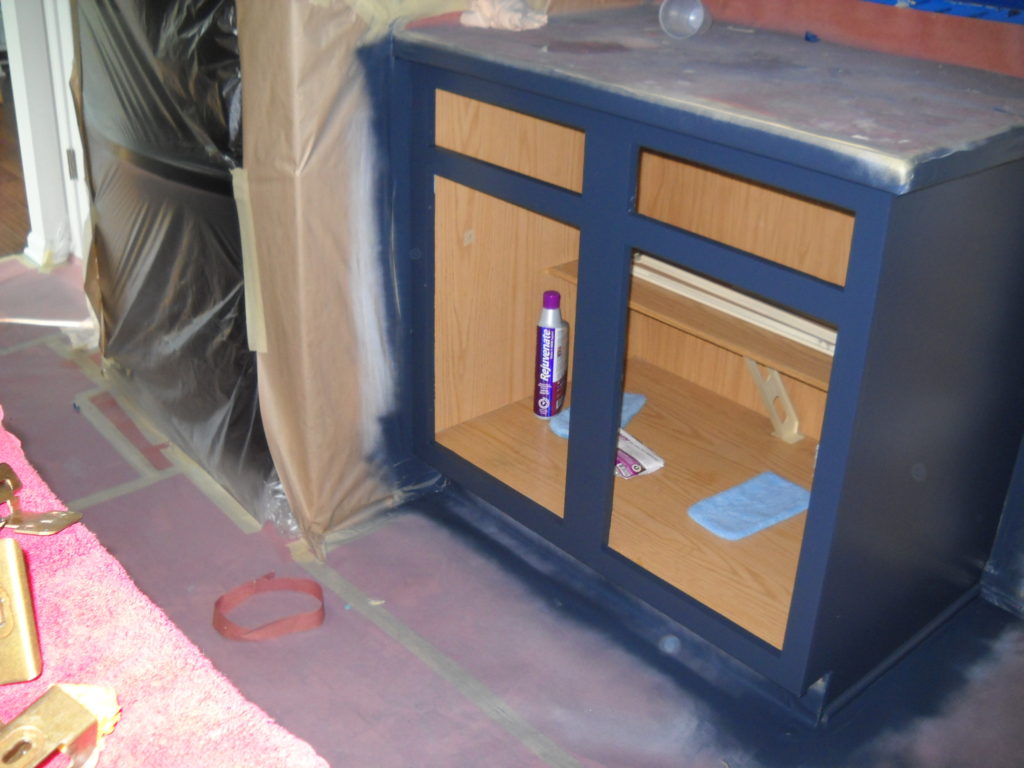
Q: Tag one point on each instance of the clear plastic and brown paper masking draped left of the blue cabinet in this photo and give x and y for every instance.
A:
(309, 281)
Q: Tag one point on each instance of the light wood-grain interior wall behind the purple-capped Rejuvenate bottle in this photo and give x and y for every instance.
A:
(491, 262)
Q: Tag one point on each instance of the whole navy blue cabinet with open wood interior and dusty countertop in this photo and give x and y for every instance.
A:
(807, 259)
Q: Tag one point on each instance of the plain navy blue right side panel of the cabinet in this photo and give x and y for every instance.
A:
(938, 423)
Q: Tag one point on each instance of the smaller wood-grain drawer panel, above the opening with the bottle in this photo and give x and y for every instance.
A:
(546, 151)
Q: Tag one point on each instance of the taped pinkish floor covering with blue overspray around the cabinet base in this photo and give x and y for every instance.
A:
(440, 649)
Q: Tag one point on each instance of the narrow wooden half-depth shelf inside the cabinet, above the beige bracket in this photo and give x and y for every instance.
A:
(810, 366)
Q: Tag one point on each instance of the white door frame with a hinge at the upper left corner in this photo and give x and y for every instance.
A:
(40, 50)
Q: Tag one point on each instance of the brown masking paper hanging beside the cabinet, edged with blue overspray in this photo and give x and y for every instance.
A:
(330, 288)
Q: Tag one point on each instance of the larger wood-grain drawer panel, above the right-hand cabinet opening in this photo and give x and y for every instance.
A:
(795, 232)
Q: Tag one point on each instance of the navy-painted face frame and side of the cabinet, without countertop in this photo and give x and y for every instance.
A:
(924, 412)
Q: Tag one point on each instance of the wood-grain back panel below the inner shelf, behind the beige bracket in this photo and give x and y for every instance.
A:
(718, 370)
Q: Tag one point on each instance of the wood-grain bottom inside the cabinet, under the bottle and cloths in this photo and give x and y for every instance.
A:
(710, 445)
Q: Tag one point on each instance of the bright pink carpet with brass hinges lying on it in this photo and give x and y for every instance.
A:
(97, 628)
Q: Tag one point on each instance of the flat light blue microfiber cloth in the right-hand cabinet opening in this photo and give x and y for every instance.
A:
(751, 507)
